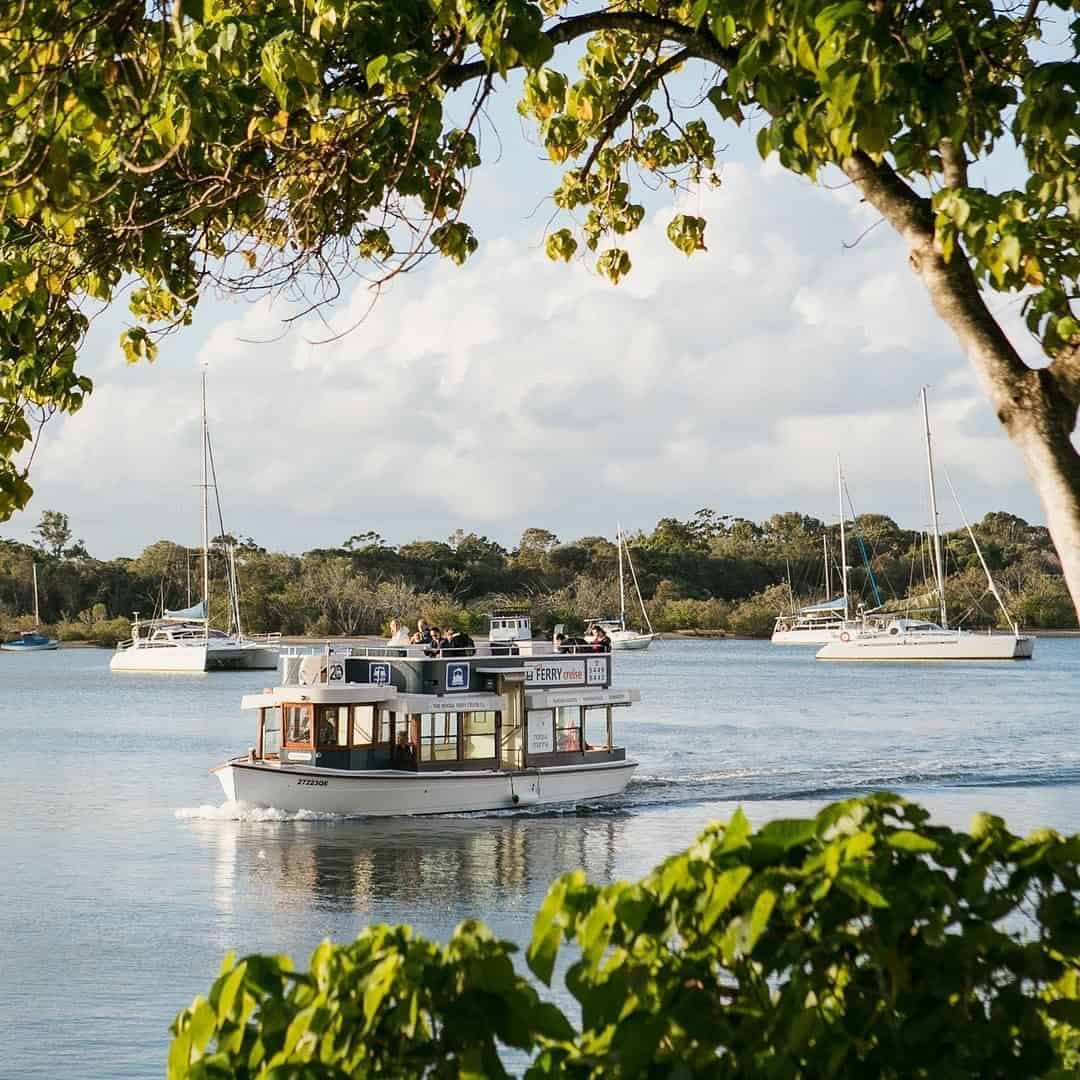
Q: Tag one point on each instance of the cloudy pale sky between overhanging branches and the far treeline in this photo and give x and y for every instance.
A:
(515, 393)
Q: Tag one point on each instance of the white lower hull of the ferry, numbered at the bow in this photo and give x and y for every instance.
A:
(388, 793)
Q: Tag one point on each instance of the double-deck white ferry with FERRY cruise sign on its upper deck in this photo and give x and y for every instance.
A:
(414, 731)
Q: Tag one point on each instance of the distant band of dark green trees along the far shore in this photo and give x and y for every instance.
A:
(709, 573)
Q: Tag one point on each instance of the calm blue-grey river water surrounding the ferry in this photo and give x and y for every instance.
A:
(124, 881)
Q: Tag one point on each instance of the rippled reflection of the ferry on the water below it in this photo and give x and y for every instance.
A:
(407, 870)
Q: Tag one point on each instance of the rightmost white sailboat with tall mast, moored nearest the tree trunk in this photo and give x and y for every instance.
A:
(908, 640)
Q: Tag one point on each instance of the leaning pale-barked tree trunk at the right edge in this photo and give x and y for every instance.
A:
(1037, 407)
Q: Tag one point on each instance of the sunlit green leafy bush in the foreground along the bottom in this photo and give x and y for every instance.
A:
(866, 941)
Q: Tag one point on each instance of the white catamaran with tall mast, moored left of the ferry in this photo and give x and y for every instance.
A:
(184, 641)
